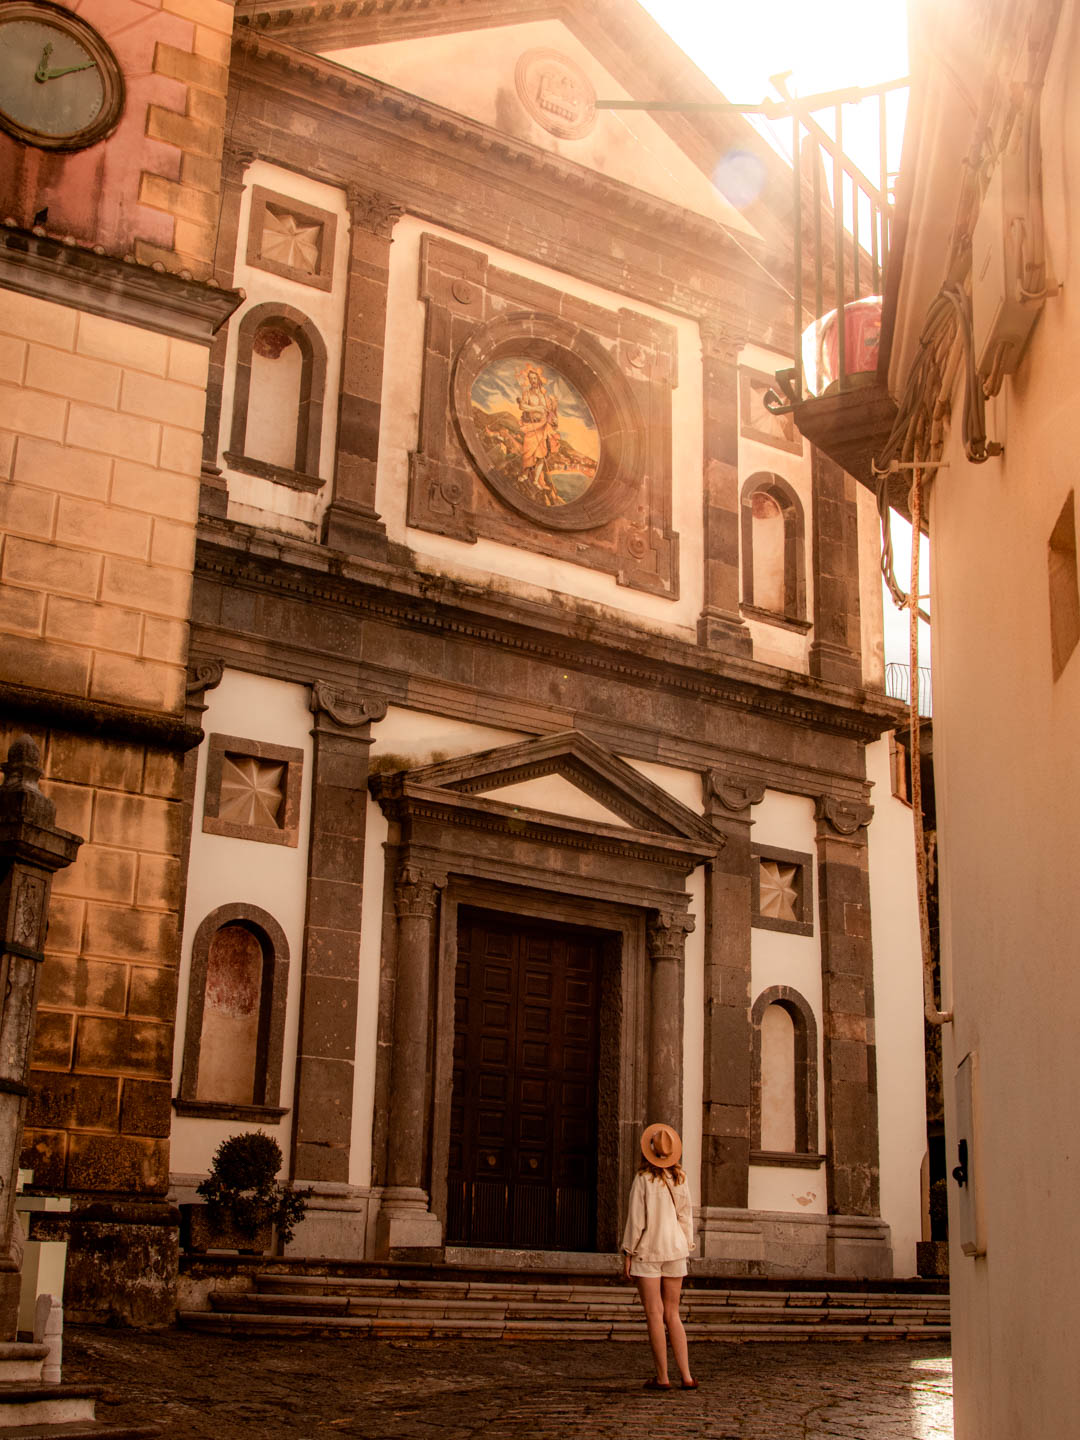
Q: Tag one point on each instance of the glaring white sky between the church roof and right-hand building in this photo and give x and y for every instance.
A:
(826, 45)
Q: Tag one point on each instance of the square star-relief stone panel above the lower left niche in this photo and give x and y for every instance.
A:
(253, 790)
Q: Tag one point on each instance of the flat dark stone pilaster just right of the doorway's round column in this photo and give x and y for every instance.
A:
(729, 899)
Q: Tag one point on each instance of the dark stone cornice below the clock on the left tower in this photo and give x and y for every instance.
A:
(67, 274)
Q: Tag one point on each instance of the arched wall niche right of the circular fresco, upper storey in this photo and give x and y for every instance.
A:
(774, 549)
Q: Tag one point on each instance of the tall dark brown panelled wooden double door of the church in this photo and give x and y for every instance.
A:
(526, 1068)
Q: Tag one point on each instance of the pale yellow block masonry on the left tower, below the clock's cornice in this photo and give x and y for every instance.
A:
(99, 506)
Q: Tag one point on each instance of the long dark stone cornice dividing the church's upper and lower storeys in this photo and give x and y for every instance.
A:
(414, 600)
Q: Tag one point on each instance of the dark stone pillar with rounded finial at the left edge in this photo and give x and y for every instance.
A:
(32, 850)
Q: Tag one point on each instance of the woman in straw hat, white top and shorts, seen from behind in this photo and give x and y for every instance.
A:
(657, 1241)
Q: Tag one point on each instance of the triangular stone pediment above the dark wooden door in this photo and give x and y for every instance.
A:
(627, 811)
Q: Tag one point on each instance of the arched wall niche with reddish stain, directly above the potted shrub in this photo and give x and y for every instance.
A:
(235, 1017)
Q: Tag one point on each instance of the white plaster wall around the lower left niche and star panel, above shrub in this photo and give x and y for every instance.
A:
(225, 872)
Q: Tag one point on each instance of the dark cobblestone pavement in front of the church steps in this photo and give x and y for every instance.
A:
(198, 1387)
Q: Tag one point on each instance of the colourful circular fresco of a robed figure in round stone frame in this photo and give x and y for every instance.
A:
(535, 430)
